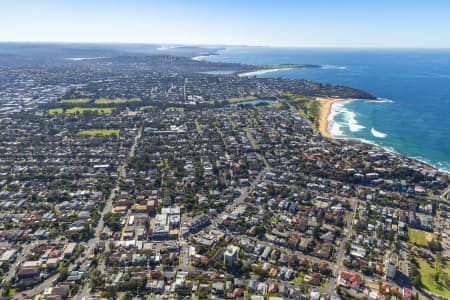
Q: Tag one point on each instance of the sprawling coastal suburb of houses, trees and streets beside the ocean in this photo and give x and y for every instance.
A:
(159, 176)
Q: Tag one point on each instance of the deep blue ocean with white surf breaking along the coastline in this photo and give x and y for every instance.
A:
(417, 120)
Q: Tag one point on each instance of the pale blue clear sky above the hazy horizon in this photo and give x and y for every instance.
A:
(332, 23)
